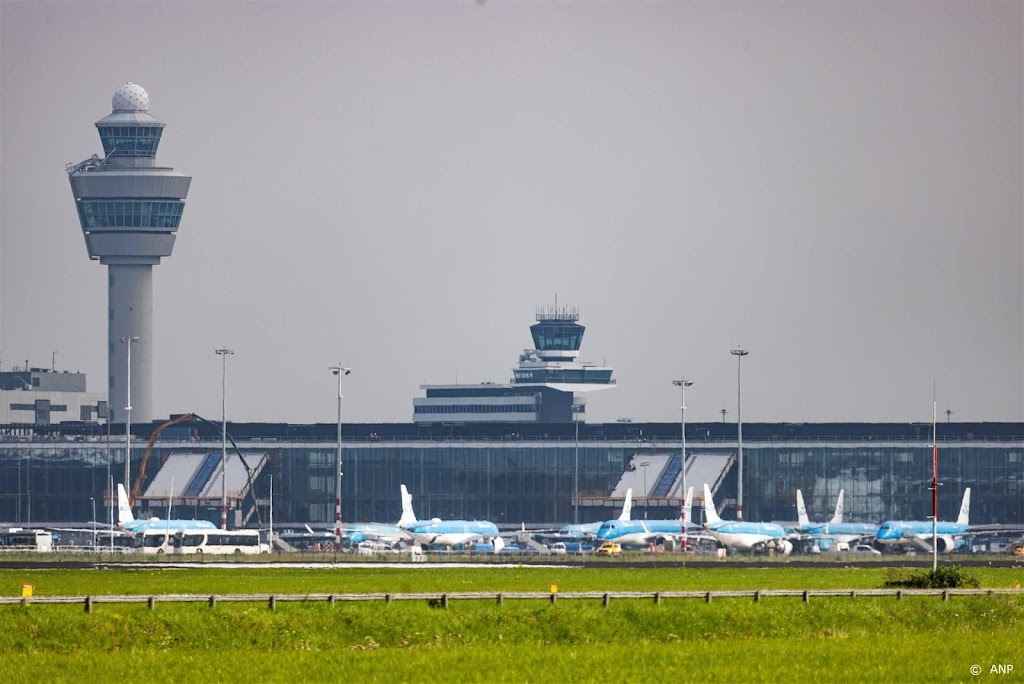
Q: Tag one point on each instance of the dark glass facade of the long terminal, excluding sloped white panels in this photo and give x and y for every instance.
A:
(530, 479)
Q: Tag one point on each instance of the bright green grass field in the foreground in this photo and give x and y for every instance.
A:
(834, 639)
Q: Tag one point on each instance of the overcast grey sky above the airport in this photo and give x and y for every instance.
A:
(837, 187)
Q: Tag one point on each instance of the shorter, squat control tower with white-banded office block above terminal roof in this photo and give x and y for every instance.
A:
(549, 386)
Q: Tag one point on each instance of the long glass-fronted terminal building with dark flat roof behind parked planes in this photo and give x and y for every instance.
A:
(513, 474)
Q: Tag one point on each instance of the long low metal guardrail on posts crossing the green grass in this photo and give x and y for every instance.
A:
(442, 600)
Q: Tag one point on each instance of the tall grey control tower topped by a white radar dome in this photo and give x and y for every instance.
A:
(130, 209)
